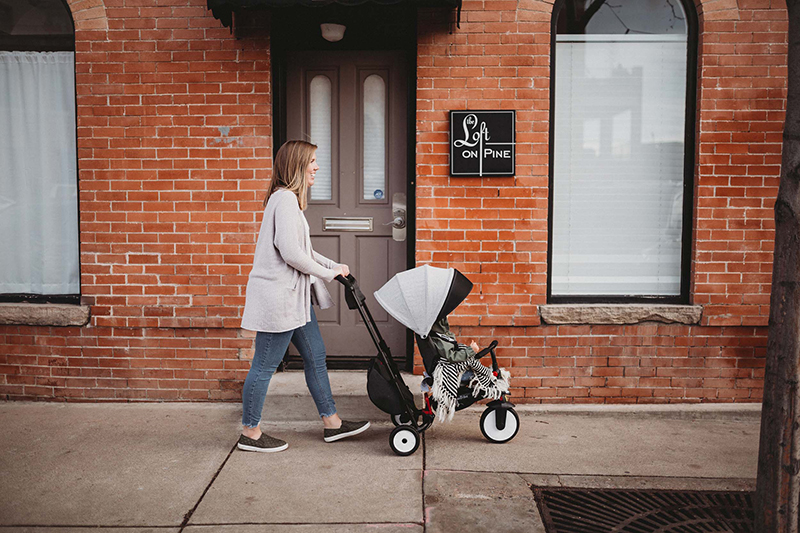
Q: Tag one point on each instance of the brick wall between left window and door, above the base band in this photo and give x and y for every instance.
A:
(174, 145)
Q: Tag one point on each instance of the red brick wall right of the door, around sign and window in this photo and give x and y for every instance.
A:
(495, 229)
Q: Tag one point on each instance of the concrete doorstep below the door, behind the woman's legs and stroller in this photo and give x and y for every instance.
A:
(288, 397)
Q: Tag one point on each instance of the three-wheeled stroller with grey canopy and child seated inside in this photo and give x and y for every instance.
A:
(419, 298)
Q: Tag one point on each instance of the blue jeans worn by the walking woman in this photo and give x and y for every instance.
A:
(270, 349)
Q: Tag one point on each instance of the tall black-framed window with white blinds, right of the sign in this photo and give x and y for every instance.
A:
(622, 157)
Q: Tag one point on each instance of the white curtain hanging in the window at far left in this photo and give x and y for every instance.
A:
(38, 174)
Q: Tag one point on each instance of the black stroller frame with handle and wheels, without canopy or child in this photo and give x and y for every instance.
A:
(389, 392)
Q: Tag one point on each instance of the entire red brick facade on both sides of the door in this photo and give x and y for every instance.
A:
(175, 143)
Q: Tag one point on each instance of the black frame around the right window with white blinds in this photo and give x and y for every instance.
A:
(689, 165)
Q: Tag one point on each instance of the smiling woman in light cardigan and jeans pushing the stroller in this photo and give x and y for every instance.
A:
(283, 284)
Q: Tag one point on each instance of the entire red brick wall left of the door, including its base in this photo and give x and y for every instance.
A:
(174, 147)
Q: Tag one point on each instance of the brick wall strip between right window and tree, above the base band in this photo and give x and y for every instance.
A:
(741, 108)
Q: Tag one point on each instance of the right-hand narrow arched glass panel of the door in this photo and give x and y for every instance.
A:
(374, 138)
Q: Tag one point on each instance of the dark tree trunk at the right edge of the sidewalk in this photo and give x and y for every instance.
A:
(778, 485)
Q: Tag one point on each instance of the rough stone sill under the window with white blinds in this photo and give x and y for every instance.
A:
(620, 313)
